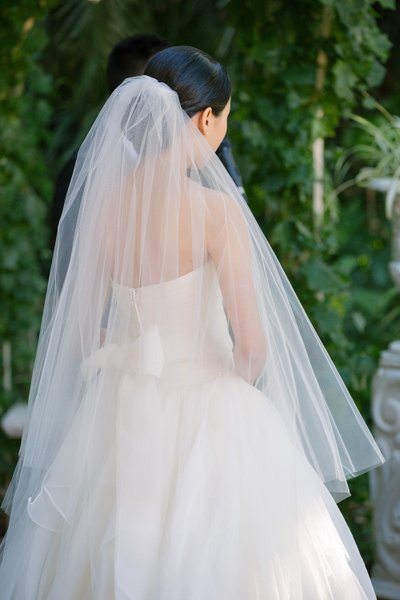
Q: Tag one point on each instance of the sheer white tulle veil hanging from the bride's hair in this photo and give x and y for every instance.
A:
(149, 202)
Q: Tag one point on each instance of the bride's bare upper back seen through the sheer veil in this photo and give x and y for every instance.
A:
(160, 235)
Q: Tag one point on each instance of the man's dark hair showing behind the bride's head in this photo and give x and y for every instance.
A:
(129, 57)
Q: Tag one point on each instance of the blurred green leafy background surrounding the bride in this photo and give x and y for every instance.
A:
(299, 70)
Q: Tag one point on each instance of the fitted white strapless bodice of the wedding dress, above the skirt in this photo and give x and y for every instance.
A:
(187, 312)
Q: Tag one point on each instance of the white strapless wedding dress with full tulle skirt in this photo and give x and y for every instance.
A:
(178, 480)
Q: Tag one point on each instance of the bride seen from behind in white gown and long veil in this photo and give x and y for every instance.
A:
(188, 434)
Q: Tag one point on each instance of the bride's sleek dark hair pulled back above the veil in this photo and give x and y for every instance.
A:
(198, 79)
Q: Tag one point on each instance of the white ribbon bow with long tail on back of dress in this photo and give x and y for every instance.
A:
(140, 448)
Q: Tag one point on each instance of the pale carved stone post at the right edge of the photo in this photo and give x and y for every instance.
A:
(385, 481)
